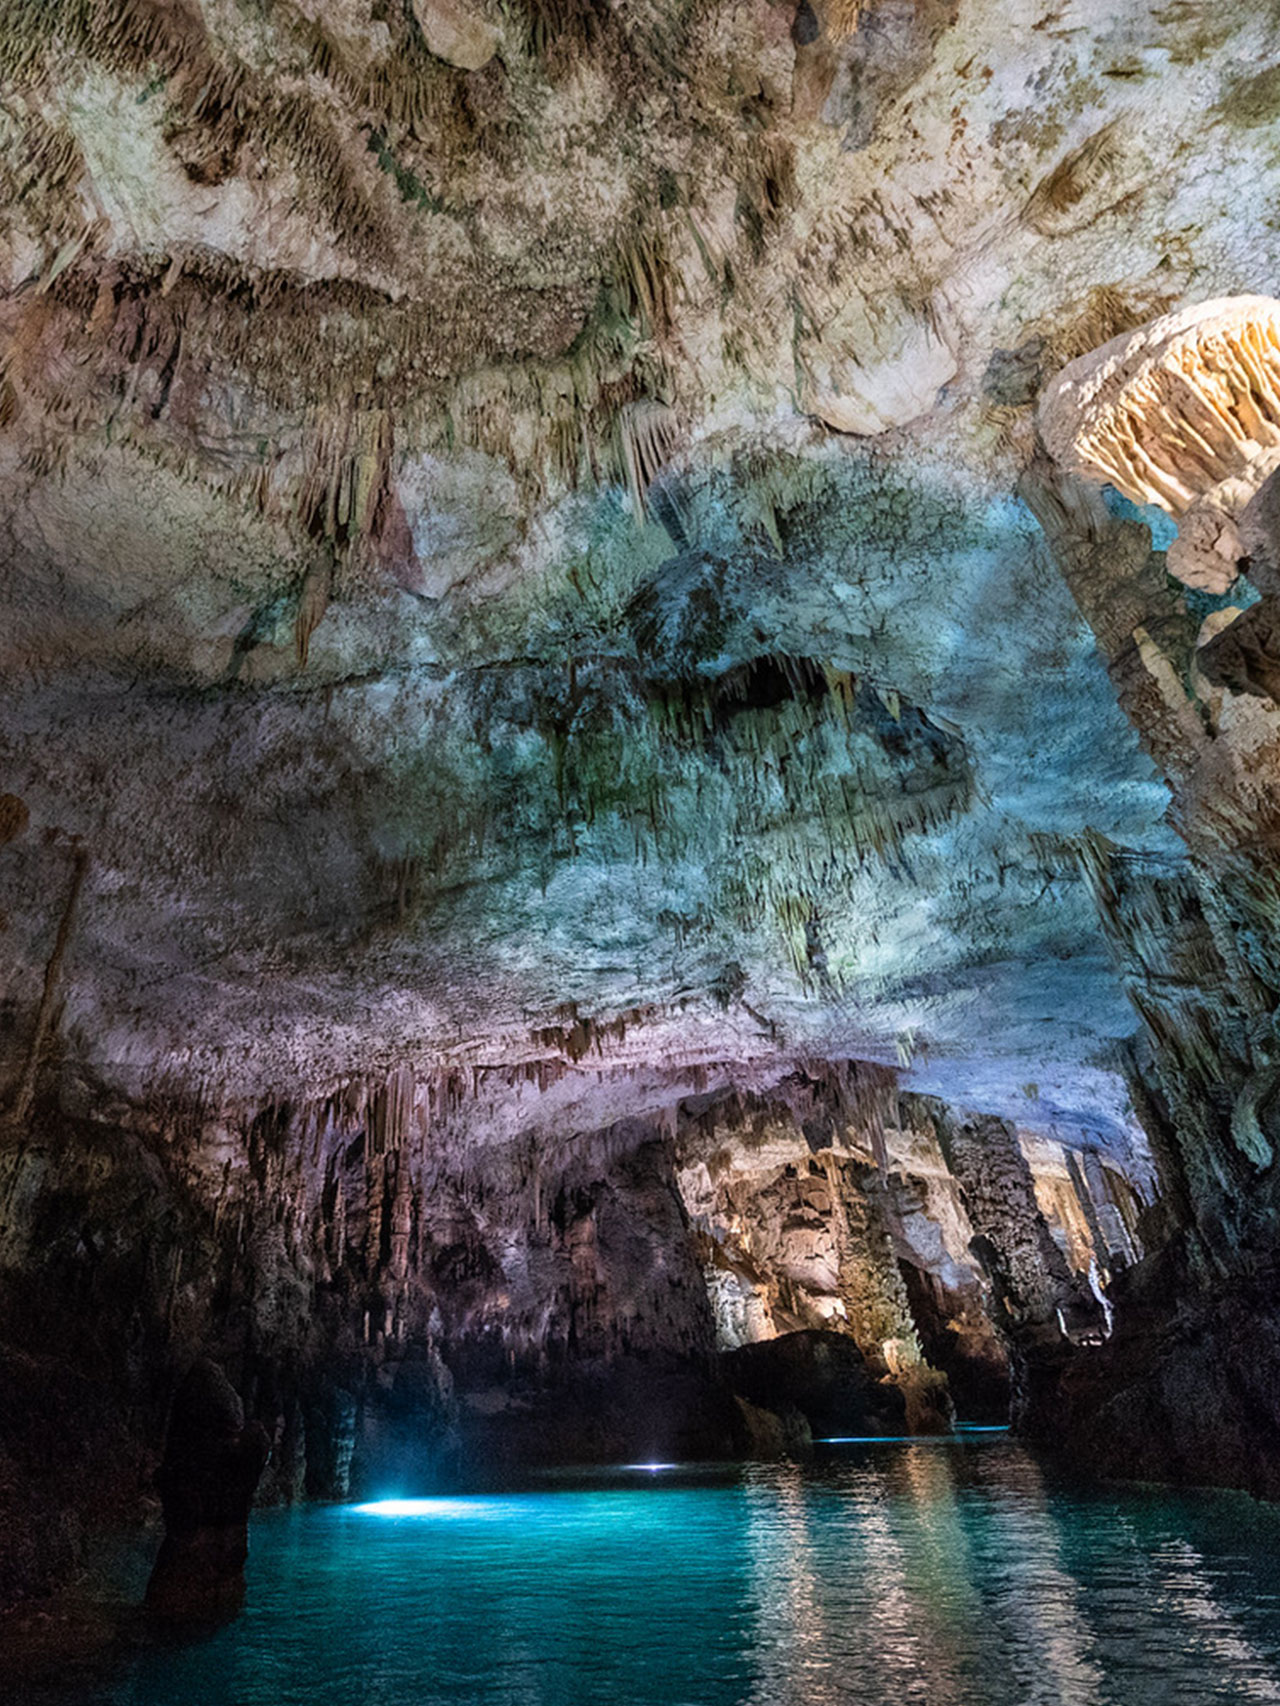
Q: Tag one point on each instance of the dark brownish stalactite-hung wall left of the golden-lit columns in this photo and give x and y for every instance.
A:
(393, 1316)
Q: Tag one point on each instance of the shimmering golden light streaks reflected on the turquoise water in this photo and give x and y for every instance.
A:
(936, 1598)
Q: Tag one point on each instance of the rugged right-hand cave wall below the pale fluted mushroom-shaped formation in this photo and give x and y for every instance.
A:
(1189, 1388)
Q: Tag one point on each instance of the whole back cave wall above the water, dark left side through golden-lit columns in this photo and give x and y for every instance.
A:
(405, 1311)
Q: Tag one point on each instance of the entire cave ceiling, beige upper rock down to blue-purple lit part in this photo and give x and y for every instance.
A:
(509, 531)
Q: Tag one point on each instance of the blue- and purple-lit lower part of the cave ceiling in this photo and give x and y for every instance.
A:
(742, 801)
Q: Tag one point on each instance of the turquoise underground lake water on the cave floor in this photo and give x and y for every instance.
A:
(945, 1574)
